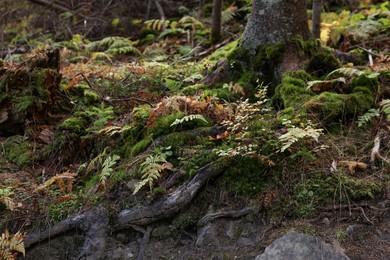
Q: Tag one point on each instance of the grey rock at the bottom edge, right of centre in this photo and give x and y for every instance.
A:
(294, 245)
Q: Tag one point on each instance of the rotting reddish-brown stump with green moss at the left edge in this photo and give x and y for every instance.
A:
(28, 92)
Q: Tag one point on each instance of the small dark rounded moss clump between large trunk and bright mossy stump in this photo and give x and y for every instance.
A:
(322, 63)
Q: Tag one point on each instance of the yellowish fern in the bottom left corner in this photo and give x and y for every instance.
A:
(10, 244)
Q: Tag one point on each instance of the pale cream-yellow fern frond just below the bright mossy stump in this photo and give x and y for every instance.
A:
(294, 134)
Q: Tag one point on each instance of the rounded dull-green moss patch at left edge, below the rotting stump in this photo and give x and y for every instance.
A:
(17, 150)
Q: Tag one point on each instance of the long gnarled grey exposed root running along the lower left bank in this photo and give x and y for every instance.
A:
(95, 223)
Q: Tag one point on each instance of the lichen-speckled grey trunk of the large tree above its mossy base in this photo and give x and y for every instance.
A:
(272, 21)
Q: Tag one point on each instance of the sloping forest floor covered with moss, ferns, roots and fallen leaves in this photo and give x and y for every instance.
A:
(94, 133)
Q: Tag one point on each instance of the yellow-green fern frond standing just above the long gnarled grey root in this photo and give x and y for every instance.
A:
(151, 170)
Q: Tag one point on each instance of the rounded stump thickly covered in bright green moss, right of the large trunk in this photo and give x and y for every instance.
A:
(343, 95)
